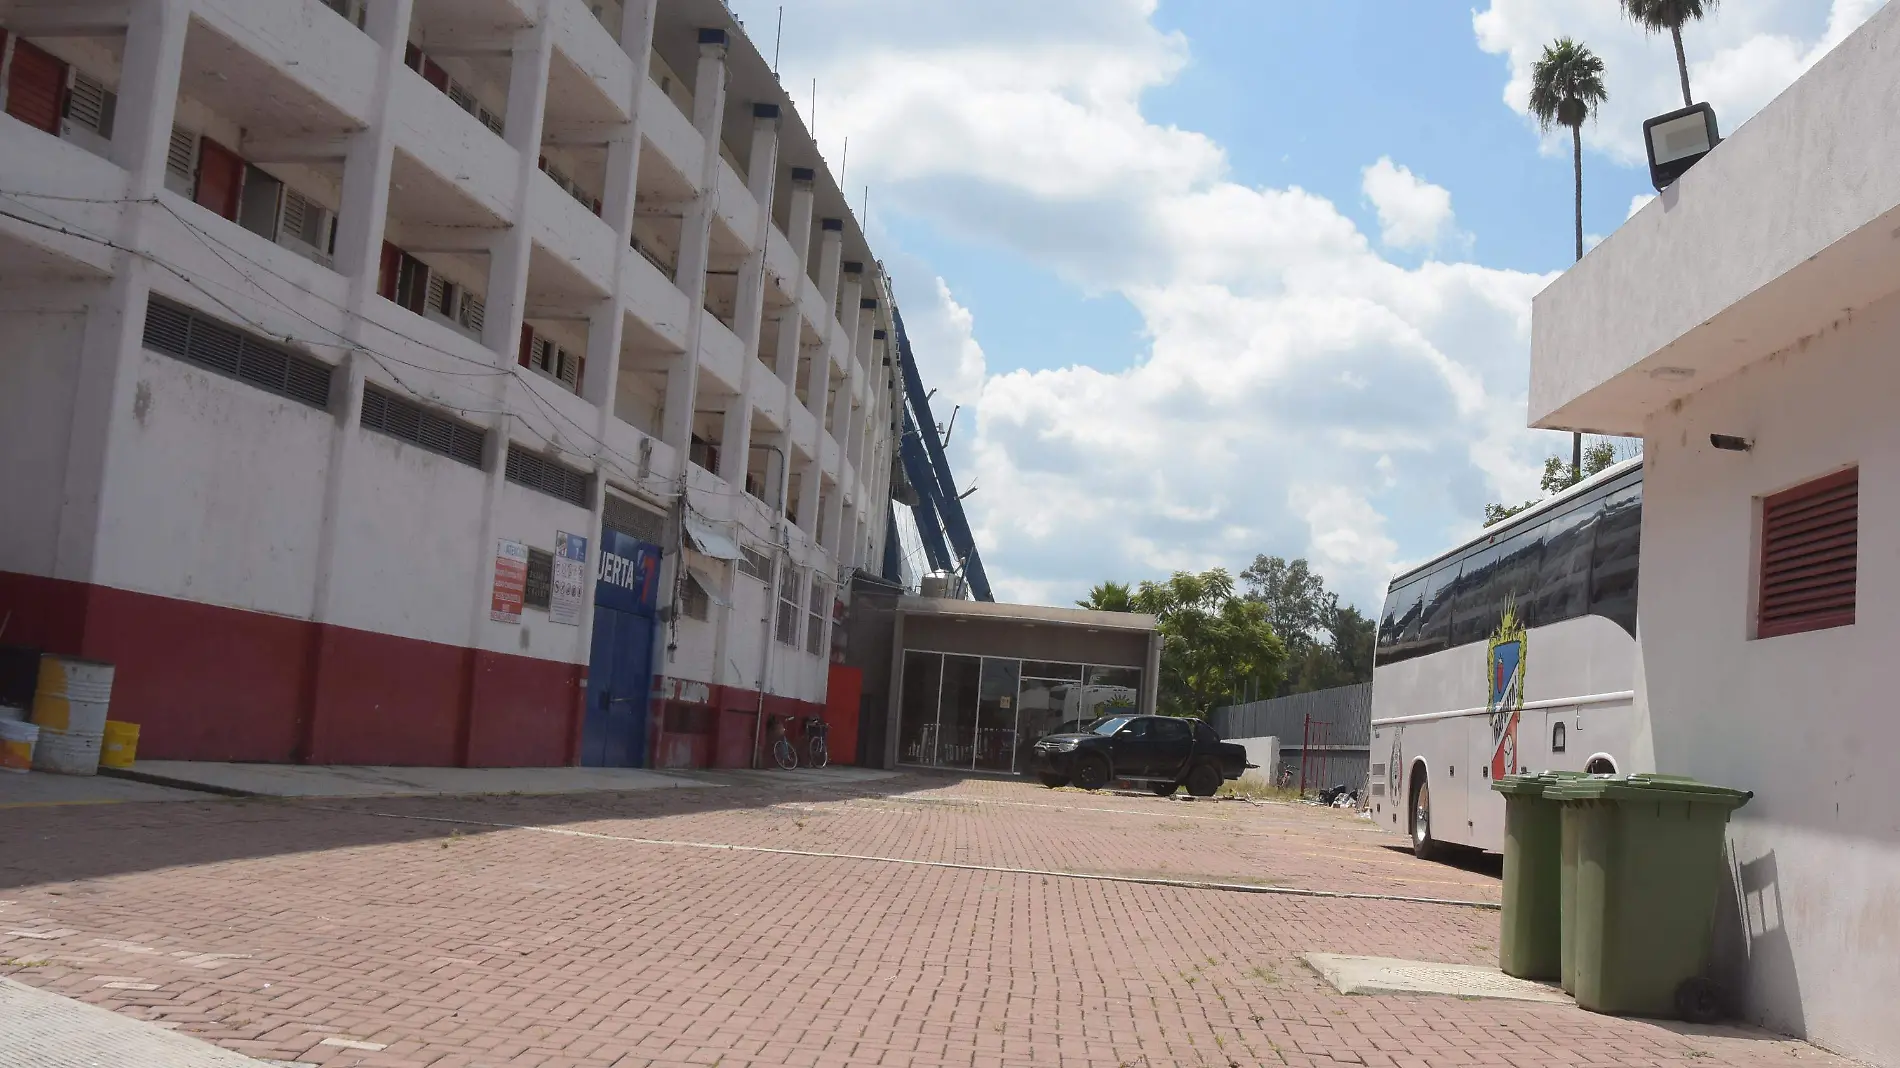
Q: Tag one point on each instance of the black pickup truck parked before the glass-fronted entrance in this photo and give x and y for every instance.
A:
(1162, 753)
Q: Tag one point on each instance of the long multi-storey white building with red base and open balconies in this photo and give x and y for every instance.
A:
(430, 381)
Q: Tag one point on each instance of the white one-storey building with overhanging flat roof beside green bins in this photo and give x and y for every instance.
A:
(1760, 299)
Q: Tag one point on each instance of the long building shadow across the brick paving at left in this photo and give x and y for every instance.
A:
(83, 843)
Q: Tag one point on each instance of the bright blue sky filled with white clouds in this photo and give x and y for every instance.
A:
(1230, 278)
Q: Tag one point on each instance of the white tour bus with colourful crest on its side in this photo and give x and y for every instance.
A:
(1513, 653)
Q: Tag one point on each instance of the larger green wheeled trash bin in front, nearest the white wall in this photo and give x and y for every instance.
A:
(1643, 866)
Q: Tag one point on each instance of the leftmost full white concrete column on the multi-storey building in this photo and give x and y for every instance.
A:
(115, 322)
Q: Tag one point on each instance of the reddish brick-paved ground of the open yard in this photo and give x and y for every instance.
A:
(377, 934)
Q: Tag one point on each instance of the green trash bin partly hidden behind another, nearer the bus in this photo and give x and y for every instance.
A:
(1530, 945)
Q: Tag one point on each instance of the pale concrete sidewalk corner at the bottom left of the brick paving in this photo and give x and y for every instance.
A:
(47, 1031)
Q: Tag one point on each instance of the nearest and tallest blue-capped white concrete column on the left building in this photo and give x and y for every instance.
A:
(696, 238)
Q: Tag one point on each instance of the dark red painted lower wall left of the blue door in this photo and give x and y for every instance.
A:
(210, 683)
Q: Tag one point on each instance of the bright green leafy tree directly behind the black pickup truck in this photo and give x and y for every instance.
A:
(1215, 643)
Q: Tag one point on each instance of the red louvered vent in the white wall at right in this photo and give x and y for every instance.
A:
(1810, 548)
